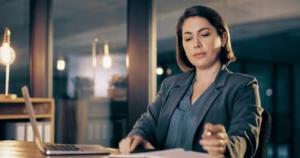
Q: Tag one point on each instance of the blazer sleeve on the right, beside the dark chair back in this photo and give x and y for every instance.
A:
(245, 121)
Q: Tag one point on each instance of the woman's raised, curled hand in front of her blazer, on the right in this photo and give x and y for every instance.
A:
(214, 140)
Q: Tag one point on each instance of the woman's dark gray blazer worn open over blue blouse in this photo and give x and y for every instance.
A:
(235, 103)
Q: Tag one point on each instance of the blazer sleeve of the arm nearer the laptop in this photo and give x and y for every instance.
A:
(146, 125)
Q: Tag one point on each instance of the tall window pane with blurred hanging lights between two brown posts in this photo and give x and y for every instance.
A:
(90, 73)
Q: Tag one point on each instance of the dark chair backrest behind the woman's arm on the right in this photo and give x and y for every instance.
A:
(264, 135)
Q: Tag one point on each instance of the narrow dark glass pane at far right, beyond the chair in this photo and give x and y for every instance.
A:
(283, 115)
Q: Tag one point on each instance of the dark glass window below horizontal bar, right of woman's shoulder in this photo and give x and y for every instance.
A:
(276, 97)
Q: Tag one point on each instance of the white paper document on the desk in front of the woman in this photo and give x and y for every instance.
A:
(171, 153)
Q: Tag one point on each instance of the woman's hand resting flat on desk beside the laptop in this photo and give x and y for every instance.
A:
(128, 144)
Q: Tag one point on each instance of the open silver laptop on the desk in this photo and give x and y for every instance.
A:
(58, 149)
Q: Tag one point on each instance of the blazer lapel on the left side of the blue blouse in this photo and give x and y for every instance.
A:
(174, 97)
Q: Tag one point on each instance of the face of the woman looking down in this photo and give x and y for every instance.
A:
(201, 42)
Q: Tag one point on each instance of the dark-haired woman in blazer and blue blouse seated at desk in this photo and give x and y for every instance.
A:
(206, 108)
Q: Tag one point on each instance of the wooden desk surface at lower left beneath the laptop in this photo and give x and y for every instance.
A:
(22, 149)
